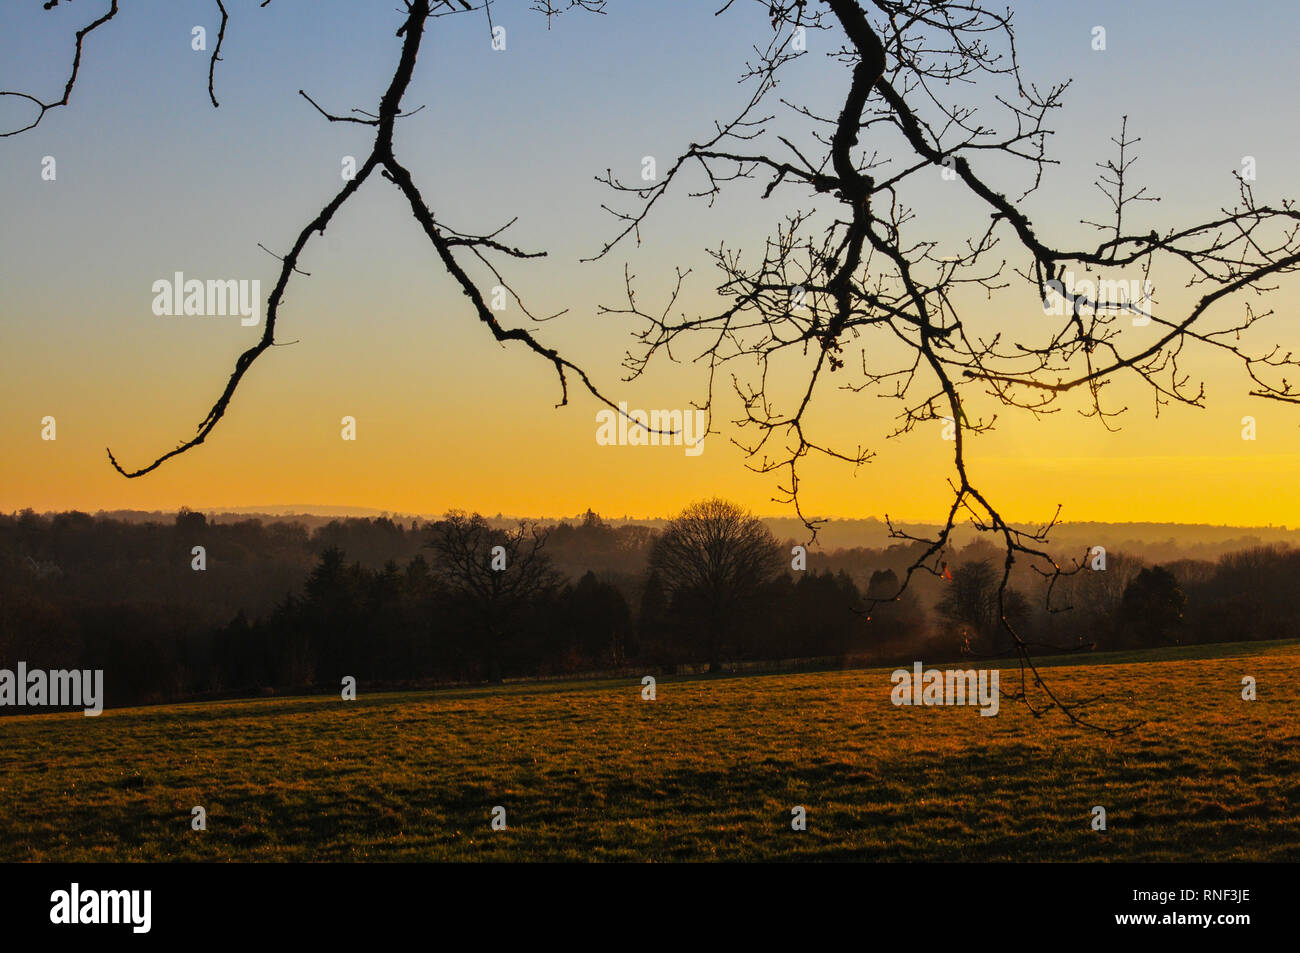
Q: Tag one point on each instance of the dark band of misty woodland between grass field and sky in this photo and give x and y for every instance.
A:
(463, 600)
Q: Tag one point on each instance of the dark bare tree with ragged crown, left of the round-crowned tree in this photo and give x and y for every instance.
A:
(492, 574)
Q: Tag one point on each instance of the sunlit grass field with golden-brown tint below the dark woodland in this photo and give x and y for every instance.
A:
(710, 770)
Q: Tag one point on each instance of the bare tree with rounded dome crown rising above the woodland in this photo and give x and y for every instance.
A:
(717, 555)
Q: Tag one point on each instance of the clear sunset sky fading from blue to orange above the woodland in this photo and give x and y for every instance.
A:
(153, 180)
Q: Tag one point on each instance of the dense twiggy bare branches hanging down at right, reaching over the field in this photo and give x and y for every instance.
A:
(855, 293)
